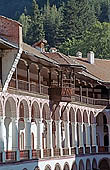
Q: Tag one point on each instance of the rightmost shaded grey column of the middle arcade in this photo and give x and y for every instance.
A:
(94, 141)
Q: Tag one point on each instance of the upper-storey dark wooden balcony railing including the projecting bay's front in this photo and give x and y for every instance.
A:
(64, 93)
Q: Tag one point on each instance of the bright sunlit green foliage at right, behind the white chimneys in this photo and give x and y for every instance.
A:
(97, 39)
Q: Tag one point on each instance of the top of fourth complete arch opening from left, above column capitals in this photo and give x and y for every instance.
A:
(46, 112)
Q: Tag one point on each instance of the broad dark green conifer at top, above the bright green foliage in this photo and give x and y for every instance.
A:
(77, 17)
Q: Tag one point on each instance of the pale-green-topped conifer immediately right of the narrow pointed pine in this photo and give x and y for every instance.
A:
(52, 19)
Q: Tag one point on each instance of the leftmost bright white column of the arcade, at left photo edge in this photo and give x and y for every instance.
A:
(2, 138)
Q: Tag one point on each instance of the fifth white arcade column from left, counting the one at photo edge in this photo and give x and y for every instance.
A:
(49, 136)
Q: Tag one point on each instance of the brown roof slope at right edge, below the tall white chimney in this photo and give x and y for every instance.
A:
(100, 68)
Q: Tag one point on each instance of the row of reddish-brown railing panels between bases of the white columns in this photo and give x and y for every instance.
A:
(36, 154)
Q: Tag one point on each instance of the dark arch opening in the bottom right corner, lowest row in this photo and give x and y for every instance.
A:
(104, 164)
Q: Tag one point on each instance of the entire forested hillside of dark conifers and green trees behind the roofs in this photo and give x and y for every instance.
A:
(69, 25)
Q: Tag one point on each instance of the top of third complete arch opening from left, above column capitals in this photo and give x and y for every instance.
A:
(35, 111)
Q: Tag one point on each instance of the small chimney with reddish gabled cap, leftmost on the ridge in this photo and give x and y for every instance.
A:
(40, 45)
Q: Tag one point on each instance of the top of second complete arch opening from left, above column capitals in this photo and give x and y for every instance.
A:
(23, 109)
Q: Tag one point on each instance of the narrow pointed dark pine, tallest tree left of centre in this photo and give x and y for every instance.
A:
(36, 31)
